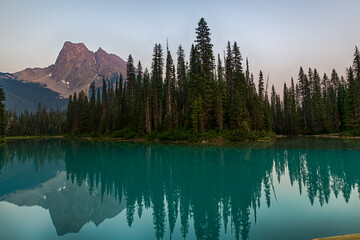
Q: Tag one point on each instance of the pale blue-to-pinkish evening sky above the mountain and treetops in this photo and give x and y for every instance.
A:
(277, 36)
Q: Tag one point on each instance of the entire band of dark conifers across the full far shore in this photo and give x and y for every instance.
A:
(203, 98)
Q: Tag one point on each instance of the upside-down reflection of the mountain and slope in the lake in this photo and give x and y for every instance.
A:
(70, 206)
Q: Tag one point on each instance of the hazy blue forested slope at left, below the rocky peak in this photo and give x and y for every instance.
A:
(21, 95)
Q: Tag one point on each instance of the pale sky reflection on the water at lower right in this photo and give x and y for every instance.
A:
(294, 215)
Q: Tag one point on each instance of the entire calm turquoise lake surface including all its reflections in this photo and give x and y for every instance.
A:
(294, 188)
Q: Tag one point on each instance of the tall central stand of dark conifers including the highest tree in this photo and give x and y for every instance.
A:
(199, 95)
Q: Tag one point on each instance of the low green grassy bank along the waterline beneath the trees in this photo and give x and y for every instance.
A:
(179, 135)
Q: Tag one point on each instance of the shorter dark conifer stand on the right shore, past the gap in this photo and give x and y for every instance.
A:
(318, 104)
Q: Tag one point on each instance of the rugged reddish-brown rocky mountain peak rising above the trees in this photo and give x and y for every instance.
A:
(76, 67)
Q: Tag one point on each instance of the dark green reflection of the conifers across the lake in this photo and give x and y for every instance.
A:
(214, 189)
